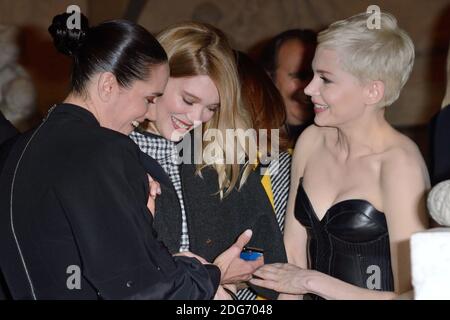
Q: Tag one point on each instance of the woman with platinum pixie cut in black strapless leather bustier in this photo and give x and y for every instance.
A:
(358, 185)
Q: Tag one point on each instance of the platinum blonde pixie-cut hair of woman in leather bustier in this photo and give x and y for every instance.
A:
(385, 54)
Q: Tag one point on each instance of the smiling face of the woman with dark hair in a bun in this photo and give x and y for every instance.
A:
(131, 105)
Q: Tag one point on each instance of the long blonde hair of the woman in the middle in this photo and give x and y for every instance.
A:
(201, 49)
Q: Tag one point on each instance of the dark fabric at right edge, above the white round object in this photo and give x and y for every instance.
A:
(440, 146)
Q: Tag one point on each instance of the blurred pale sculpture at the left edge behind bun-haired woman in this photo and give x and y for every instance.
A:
(17, 94)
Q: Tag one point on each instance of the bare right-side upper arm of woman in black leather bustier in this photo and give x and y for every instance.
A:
(404, 186)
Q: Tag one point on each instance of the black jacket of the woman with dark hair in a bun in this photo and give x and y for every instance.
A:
(80, 197)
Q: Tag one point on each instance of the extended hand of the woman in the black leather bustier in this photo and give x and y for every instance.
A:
(282, 277)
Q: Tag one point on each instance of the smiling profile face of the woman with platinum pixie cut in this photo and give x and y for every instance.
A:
(338, 96)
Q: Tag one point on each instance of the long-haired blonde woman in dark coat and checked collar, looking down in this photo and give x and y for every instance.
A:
(213, 202)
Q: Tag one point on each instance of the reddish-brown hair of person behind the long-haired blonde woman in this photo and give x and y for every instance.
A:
(262, 99)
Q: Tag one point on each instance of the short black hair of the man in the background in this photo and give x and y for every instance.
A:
(269, 54)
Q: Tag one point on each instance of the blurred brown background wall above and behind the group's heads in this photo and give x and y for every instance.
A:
(246, 22)
